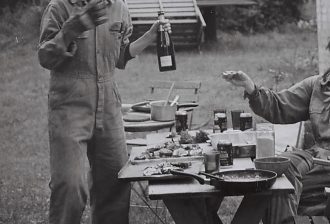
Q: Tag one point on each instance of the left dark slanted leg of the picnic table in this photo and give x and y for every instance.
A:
(194, 210)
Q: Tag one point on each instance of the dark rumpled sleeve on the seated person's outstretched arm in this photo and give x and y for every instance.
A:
(285, 107)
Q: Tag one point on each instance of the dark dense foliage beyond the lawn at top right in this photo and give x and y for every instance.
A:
(266, 15)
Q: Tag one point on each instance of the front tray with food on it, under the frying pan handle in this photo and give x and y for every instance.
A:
(159, 170)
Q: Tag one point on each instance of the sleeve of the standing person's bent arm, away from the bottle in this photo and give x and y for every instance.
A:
(56, 37)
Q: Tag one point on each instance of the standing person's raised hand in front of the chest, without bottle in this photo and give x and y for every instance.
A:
(95, 13)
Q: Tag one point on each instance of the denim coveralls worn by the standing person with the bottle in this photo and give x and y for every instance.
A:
(85, 112)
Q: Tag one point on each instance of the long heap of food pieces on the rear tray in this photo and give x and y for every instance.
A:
(170, 149)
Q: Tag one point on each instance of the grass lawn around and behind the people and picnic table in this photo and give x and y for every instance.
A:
(24, 153)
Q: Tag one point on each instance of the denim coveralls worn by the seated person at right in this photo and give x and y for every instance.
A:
(307, 100)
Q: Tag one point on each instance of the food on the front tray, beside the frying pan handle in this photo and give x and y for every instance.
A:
(165, 167)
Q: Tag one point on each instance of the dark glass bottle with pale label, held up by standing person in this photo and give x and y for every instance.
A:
(165, 48)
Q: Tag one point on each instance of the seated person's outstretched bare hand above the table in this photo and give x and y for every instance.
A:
(240, 79)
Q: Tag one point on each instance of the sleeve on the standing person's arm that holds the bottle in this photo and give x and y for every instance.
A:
(125, 55)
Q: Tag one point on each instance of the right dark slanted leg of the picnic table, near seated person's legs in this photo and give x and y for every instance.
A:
(252, 208)
